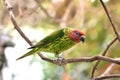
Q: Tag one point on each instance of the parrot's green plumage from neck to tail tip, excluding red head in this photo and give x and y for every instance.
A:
(56, 42)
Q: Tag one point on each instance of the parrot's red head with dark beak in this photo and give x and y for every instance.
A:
(76, 36)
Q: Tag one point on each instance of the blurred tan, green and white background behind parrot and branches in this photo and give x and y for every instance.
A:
(38, 18)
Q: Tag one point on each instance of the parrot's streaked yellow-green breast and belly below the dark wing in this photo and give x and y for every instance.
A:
(59, 45)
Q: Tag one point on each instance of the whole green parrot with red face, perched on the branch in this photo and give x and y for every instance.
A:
(57, 42)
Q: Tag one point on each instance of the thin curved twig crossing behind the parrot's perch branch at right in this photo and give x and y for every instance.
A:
(103, 54)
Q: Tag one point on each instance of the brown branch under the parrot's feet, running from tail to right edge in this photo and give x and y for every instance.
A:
(83, 59)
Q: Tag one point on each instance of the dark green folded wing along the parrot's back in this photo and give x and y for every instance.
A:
(50, 38)
